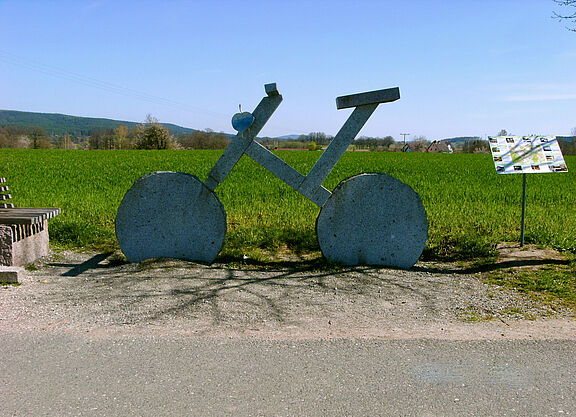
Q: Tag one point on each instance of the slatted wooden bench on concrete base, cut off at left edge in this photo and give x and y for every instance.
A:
(23, 231)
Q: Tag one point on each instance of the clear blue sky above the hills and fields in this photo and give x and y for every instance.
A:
(464, 67)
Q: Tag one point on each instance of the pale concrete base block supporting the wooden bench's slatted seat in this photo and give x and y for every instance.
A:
(23, 244)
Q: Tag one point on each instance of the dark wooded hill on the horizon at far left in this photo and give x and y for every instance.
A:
(61, 124)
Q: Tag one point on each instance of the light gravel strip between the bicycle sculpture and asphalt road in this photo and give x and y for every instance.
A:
(86, 293)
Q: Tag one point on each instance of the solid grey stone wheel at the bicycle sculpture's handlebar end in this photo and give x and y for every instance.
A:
(170, 215)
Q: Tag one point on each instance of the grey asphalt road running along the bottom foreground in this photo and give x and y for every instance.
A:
(59, 374)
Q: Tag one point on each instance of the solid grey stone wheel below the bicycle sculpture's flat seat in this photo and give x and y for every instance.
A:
(373, 219)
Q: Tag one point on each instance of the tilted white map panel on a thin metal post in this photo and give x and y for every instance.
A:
(526, 154)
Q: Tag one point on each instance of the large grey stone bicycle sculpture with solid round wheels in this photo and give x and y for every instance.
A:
(369, 219)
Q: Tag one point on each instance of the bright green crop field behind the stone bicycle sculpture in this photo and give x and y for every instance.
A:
(470, 208)
